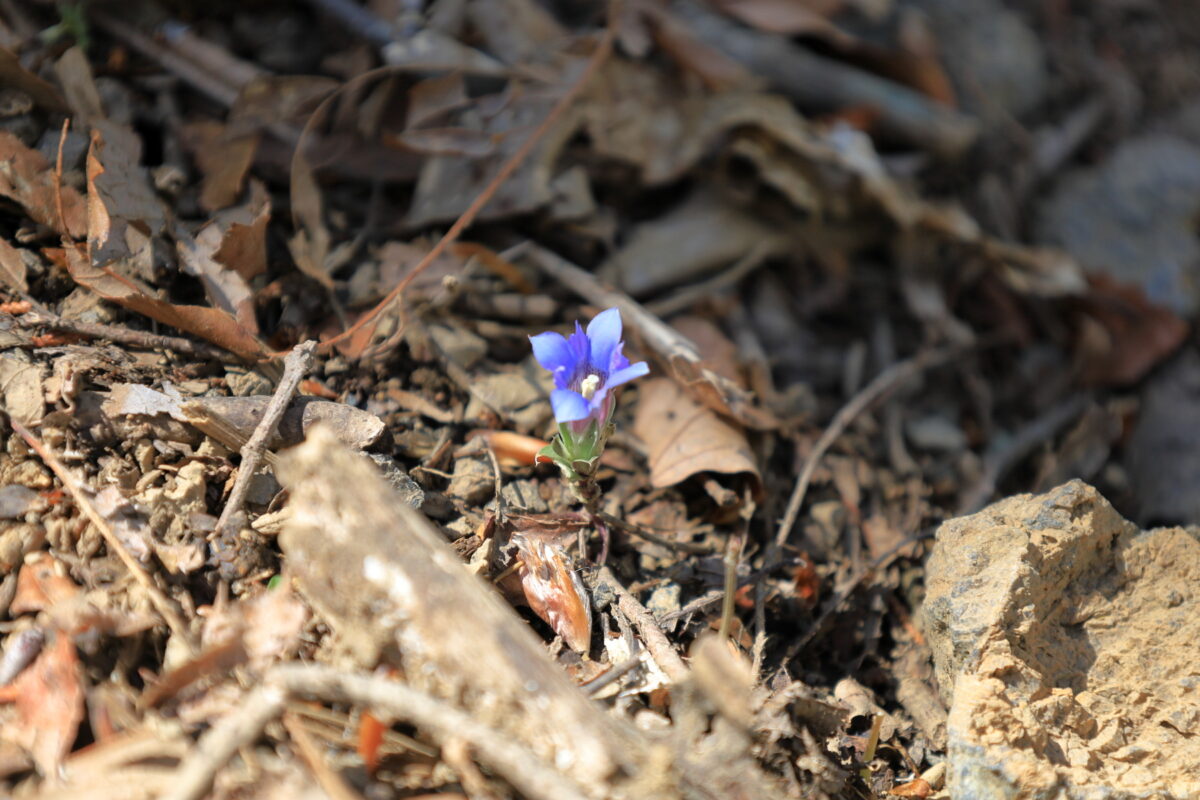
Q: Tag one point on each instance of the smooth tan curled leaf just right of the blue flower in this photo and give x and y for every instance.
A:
(685, 438)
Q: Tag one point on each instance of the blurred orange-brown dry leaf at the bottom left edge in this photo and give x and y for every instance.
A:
(50, 701)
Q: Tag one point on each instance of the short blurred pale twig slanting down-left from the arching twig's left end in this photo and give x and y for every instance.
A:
(235, 731)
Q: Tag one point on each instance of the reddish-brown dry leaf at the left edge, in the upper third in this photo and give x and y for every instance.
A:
(28, 179)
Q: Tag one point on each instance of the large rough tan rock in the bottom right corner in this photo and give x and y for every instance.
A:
(1067, 646)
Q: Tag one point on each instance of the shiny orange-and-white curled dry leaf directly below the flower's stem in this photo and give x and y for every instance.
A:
(554, 590)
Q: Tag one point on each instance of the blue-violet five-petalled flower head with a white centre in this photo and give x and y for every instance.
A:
(586, 368)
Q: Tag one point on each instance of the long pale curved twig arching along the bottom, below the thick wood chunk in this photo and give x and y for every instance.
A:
(518, 766)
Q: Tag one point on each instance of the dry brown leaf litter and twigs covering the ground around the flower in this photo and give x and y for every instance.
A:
(514, 166)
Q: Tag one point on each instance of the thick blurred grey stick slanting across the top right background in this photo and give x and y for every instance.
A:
(824, 83)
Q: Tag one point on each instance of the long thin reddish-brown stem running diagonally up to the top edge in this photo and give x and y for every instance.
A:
(604, 49)
